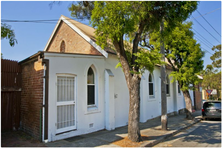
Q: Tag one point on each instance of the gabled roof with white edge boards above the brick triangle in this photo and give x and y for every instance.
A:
(86, 32)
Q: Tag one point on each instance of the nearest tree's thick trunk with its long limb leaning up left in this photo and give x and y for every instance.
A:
(133, 84)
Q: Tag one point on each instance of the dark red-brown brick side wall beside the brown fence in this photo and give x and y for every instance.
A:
(31, 98)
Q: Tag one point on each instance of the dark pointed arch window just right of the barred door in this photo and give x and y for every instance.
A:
(91, 87)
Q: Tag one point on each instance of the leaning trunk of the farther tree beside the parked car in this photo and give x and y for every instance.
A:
(188, 102)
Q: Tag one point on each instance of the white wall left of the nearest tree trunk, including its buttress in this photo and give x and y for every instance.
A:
(111, 113)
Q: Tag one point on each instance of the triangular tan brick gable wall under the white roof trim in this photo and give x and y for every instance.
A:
(74, 43)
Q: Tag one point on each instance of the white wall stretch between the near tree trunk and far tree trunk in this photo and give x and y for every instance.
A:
(151, 105)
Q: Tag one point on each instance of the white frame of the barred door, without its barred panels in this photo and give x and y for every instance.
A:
(67, 103)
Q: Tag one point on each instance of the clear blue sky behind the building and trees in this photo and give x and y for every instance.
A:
(32, 37)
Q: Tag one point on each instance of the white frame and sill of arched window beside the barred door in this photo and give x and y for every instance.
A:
(93, 106)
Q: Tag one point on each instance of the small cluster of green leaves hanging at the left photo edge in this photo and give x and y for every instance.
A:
(7, 33)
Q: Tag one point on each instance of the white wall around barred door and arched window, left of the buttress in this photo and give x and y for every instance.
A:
(87, 120)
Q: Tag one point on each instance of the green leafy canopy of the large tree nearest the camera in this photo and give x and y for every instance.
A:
(132, 20)
